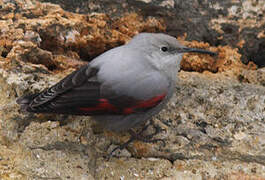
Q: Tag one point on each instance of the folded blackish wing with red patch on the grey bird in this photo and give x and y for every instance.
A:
(79, 94)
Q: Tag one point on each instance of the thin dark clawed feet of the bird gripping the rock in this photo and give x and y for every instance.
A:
(139, 136)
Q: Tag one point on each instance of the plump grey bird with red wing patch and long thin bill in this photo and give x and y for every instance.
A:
(122, 87)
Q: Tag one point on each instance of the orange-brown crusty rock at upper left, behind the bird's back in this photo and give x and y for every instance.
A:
(46, 34)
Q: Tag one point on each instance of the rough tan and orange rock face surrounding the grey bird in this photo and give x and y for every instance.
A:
(213, 127)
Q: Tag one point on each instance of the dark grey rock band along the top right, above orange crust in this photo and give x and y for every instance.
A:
(239, 24)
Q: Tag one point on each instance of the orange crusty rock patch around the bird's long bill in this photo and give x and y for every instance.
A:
(227, 59)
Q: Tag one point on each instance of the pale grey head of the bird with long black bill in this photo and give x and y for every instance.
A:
(162, 50)
